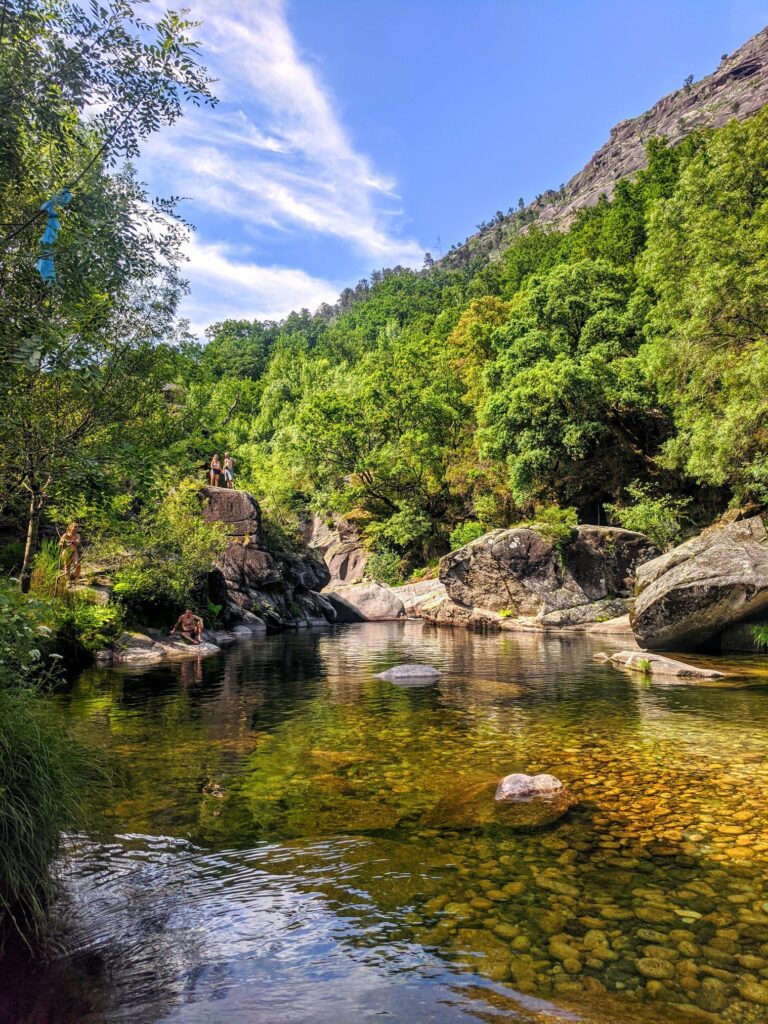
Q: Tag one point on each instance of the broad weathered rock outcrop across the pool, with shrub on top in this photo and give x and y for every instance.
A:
(519, 577)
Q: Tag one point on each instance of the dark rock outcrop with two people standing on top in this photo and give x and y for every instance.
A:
(252, 581)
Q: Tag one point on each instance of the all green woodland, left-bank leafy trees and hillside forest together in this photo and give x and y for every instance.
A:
(614, 372)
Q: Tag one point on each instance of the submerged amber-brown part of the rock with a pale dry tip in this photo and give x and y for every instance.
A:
(475, 806)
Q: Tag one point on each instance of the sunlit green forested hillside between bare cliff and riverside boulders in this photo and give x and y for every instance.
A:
(619, 369)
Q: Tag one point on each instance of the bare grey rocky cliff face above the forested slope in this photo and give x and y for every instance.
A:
(738, 90)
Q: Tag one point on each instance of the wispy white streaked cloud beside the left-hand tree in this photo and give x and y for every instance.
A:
(274, 157)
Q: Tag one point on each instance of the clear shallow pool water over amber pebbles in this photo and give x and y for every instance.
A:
(305, 885)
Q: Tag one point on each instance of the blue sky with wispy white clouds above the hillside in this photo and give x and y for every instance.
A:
(357, 135)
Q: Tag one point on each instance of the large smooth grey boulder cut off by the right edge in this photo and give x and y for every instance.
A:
(692, 594)
